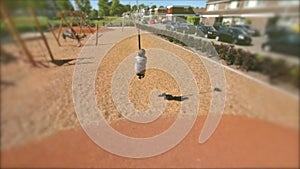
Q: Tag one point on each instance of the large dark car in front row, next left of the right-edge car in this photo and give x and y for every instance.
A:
(233, 35)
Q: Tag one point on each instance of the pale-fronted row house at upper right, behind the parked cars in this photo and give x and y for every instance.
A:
(259, 13)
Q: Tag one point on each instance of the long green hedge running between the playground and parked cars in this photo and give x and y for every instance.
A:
(277, 70)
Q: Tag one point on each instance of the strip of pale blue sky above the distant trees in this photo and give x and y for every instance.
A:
(194, 3)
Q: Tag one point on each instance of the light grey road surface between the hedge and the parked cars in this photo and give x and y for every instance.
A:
(254, 48)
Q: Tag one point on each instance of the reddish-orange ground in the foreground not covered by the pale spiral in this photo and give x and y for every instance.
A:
(239, 142)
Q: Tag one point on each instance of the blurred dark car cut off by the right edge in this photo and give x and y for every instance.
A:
(286, 43)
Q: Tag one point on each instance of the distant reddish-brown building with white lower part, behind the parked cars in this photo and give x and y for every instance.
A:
(174, 12)
